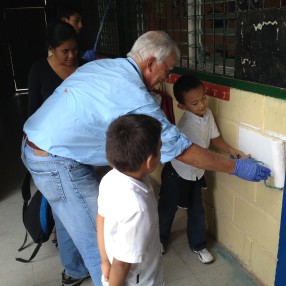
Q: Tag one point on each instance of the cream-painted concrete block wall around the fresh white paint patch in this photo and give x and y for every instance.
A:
(241, 215)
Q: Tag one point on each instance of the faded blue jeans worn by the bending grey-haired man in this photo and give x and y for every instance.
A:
(71, 188)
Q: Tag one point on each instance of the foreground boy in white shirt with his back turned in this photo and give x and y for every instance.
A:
(127, 220)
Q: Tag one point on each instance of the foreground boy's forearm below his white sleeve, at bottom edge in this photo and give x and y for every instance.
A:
(118, 273)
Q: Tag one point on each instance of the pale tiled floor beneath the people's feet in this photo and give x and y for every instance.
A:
(181, 266)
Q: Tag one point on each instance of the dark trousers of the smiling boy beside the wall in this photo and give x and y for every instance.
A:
(170, 193)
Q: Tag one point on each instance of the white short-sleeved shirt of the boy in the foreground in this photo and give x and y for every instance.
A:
(131, 227)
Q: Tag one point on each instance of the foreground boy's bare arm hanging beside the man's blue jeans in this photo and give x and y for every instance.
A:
(105, 264)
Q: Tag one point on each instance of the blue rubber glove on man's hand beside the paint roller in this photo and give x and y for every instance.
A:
(248, 170)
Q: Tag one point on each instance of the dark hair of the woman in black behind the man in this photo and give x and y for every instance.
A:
(60, 32)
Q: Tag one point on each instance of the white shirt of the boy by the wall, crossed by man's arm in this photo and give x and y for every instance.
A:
(200, 130)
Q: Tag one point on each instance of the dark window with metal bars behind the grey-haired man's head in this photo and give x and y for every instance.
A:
(205, 30)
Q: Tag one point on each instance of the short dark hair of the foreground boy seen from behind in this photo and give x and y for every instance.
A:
(131, 139)
